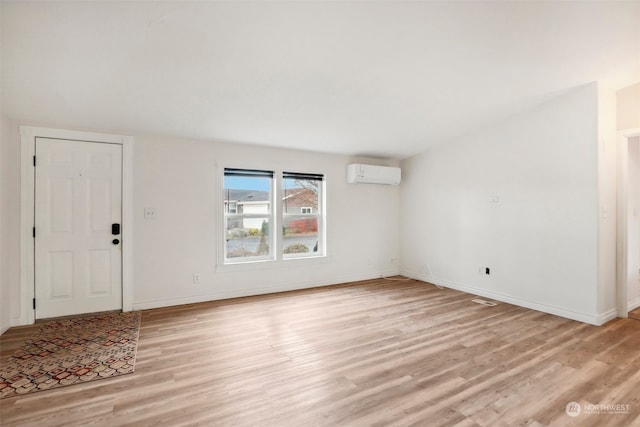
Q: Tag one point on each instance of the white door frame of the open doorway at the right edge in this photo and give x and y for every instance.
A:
(622, 223)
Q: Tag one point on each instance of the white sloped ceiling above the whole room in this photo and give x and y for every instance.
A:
(384, 79)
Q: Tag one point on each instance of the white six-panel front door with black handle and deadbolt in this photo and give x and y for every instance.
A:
(78, 255)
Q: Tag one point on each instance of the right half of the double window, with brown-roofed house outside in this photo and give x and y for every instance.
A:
(302, 215)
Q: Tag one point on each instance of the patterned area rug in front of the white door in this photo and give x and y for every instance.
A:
(73, 350)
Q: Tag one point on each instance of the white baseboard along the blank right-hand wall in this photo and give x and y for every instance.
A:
(545, 308)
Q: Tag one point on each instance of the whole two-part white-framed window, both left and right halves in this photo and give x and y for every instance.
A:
(269, 216)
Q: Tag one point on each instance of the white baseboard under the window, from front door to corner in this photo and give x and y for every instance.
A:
(146, 305)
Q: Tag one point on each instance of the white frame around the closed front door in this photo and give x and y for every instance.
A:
(28, 135)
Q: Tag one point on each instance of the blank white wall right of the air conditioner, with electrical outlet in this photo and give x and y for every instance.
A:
(541, 239)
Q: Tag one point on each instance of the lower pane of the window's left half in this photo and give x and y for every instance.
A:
(247, 237)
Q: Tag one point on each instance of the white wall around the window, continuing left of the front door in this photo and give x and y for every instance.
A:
(180, 179)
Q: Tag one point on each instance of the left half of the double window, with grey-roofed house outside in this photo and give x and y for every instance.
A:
(248, 215)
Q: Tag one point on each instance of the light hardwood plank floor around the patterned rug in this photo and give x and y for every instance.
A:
(369, 353)
